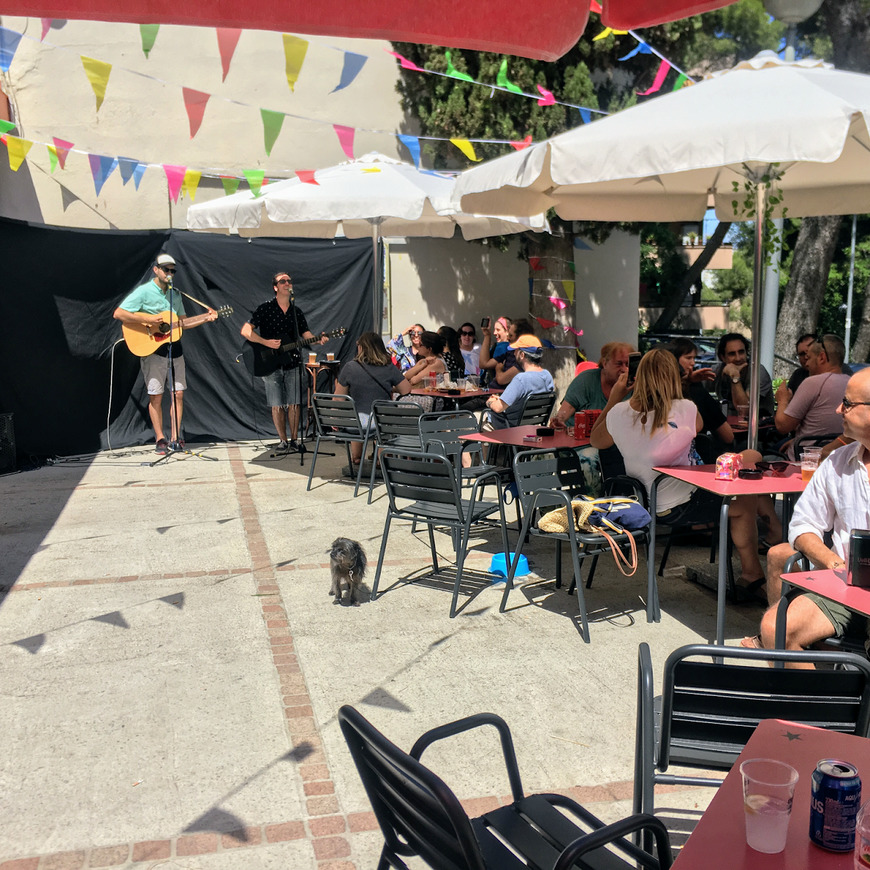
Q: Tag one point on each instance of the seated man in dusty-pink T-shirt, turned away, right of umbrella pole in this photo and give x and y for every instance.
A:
(812, 410)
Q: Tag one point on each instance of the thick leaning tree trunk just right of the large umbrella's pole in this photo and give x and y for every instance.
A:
(802, 300)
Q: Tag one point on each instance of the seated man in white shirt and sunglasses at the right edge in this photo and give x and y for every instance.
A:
(836, 500)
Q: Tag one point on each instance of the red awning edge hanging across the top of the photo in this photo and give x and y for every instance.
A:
(544, 30)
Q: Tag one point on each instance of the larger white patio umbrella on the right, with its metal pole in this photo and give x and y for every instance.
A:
(667, 158)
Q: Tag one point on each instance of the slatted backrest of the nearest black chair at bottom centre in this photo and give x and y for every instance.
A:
(417, 812)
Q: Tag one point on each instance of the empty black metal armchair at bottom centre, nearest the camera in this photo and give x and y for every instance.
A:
(420, 816)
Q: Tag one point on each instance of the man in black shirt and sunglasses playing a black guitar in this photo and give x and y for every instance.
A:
(273, 323)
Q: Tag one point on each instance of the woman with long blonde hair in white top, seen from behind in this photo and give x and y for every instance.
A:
(657, 427)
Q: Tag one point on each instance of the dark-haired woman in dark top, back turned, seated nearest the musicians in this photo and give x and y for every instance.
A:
(369, 377)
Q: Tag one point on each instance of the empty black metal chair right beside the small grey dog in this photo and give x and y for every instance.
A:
(424, 488)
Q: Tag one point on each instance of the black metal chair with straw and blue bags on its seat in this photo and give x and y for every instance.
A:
(549, 479)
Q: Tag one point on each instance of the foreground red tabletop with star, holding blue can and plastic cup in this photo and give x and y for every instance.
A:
(719, 839)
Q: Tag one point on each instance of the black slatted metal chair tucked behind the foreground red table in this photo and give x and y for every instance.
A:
(709, 709)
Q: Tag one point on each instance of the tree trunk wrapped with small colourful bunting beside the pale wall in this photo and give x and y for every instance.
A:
(551, 265)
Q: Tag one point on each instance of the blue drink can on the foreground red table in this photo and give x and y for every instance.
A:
(834, 805)
